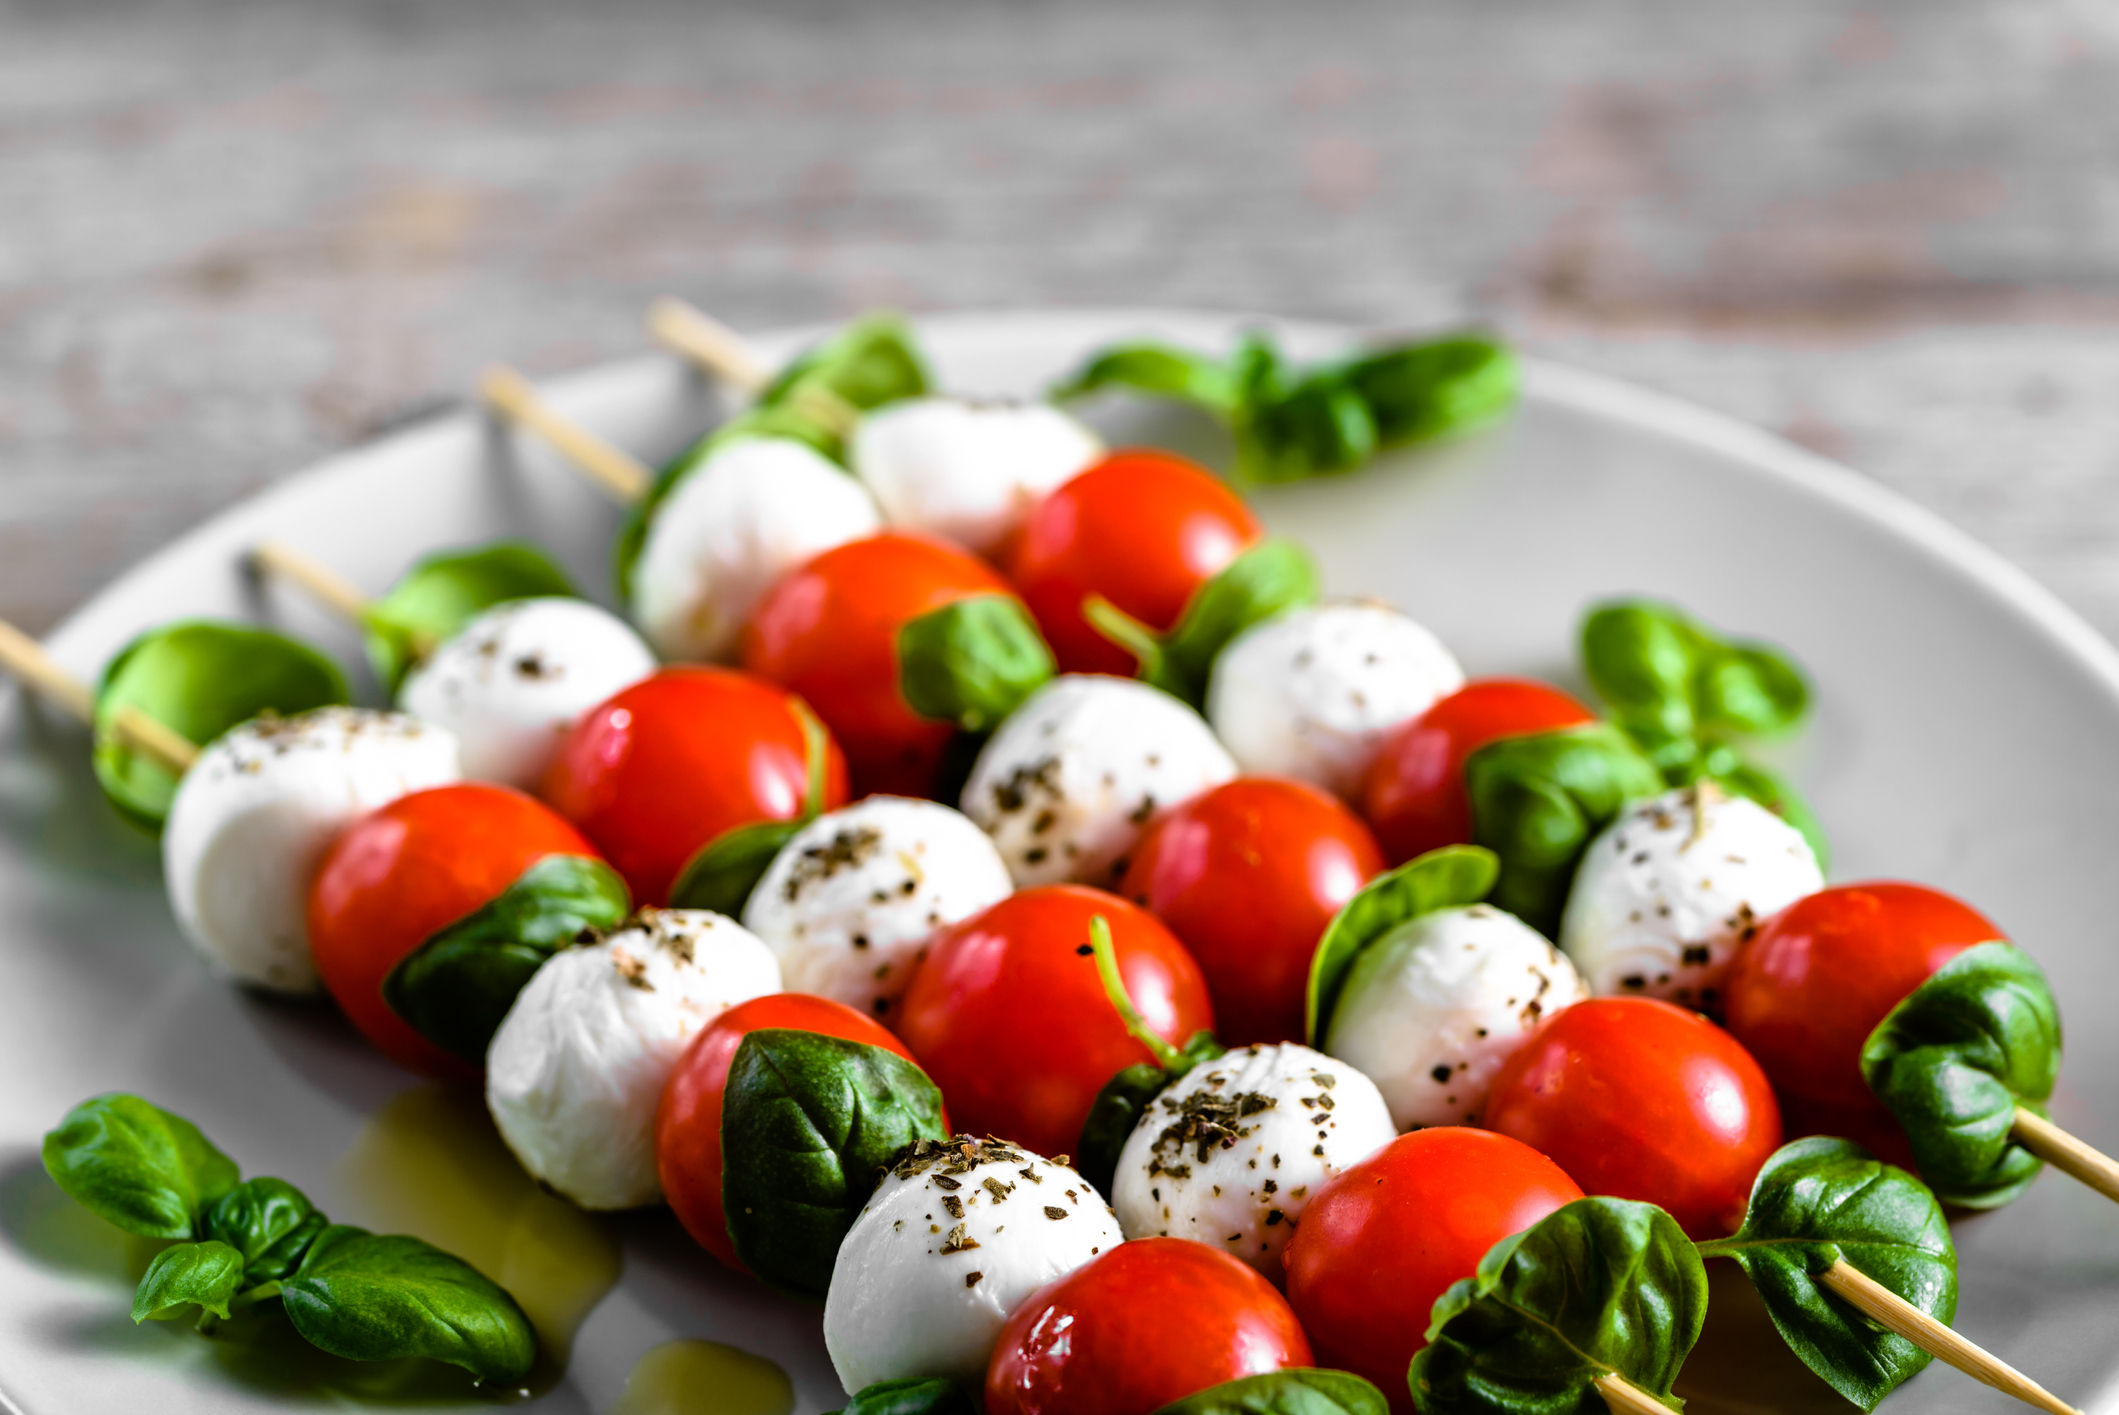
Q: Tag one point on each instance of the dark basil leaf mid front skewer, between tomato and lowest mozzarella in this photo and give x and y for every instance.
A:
(808, 1122)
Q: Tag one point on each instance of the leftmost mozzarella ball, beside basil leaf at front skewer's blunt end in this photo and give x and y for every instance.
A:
(257, 812)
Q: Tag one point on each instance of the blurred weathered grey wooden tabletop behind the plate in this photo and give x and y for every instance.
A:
(241, 236)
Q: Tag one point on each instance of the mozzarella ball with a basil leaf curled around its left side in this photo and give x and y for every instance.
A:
(1440, 1003)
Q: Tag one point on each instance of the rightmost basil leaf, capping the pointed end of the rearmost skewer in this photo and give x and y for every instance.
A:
(1953, 1064)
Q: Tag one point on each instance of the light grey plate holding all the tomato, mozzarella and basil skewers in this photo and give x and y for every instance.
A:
(1061, 865)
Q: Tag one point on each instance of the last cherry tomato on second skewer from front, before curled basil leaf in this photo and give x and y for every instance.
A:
(1385, 1238)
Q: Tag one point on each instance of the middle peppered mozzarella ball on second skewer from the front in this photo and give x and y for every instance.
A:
(851, 901)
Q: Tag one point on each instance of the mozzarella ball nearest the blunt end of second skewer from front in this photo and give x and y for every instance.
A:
(518, 677)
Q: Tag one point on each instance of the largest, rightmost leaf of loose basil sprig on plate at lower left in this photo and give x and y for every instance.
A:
(370, 1297)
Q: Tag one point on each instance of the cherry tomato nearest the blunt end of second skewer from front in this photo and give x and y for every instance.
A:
(662, 768)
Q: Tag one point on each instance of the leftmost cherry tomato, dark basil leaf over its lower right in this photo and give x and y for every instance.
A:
(399, 876)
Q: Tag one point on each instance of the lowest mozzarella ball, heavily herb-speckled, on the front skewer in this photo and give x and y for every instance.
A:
(952, 1240)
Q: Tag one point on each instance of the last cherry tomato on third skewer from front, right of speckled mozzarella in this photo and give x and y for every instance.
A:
(1643, 1100)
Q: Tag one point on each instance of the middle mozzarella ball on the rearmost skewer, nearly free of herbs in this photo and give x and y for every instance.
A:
(1311, 694)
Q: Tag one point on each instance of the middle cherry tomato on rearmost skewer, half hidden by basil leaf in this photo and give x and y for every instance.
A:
(1414, 795)
